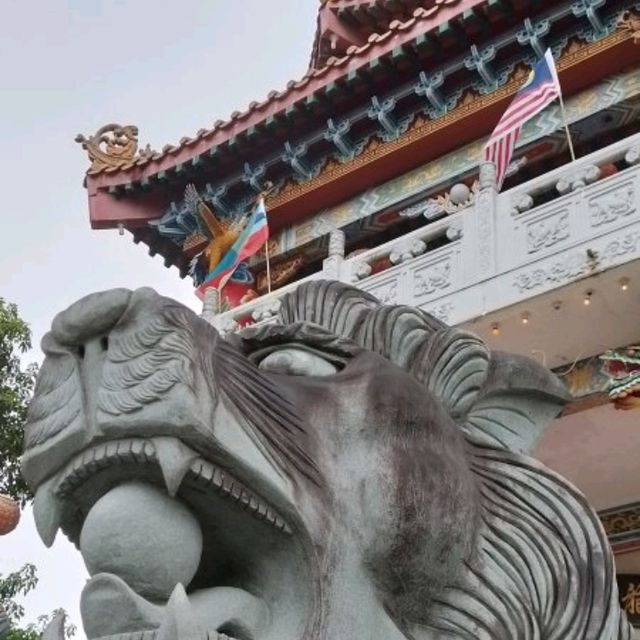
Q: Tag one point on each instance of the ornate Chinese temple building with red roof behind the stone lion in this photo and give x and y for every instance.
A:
(371, 166)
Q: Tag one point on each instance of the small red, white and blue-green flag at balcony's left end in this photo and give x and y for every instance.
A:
(253, 236)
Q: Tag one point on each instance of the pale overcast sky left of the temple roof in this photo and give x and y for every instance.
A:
(70, 66)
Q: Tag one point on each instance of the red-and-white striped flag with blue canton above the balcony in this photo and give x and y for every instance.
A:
(541, 88)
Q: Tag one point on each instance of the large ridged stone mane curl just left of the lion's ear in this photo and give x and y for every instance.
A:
(453, 364)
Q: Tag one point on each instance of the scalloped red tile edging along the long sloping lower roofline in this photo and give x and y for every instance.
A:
(190, 149)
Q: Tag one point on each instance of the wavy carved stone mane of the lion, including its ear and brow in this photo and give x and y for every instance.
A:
(542, 566)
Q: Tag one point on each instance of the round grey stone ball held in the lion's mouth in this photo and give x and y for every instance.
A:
(140, 534)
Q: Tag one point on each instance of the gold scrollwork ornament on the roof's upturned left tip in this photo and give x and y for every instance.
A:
(112, 147)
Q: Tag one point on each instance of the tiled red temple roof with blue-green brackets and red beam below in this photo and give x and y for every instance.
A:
(423, 87)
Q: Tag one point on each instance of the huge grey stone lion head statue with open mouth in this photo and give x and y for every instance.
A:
(356, 471)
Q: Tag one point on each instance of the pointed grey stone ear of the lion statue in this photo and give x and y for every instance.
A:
(517, 401)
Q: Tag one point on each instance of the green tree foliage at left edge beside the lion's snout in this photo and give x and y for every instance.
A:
(16, 387)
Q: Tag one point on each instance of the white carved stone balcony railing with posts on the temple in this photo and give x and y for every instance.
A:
(570, 223)
